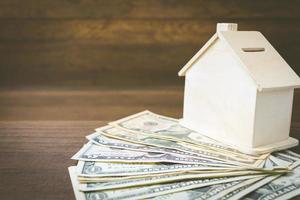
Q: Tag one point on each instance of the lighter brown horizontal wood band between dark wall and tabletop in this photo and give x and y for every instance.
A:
(96, 104)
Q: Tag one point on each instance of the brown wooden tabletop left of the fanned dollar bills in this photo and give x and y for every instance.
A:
(34, 157)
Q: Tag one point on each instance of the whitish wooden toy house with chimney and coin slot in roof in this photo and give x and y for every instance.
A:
(239, 90)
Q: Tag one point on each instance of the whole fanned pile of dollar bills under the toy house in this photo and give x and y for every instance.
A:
(150, 156)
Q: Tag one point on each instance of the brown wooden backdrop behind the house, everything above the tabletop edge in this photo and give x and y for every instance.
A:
(63, 59)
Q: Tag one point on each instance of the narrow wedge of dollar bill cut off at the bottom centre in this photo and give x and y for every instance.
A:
(212, 192)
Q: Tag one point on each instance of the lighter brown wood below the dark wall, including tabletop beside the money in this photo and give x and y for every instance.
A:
(38, 138)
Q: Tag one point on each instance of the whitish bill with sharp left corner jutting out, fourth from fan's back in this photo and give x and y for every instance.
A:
(92, 152)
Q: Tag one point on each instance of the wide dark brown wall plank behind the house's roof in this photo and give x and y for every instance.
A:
(114, 57)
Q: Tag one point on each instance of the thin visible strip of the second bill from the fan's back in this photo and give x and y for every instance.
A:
(119, 134)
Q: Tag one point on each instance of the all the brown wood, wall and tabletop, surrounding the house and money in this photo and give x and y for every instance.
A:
(69, 66)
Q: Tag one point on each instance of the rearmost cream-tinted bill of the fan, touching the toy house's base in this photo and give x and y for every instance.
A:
(160, 126)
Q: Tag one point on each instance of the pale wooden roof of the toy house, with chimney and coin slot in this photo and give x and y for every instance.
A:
(255, 54)
